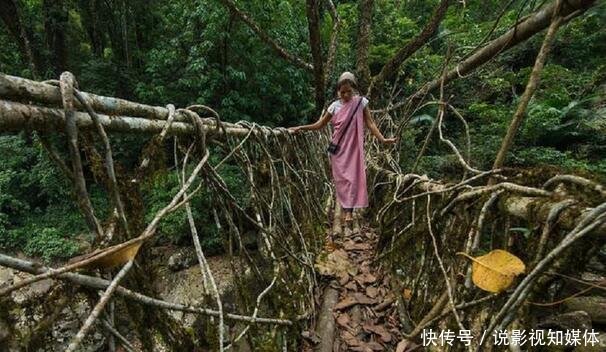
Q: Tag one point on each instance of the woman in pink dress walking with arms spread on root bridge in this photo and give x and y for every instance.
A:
(348, 167)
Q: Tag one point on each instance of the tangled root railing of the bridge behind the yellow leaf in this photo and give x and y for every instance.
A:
(463, 217)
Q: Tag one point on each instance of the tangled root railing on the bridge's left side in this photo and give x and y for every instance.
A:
(283, 204)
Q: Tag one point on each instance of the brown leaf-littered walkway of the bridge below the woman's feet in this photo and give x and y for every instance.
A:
(363, 313)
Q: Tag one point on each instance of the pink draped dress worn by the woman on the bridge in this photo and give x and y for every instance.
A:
(348, 166)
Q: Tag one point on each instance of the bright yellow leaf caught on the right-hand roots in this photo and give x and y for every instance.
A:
(495, 271)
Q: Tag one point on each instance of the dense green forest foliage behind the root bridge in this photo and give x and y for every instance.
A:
(189, 51)
